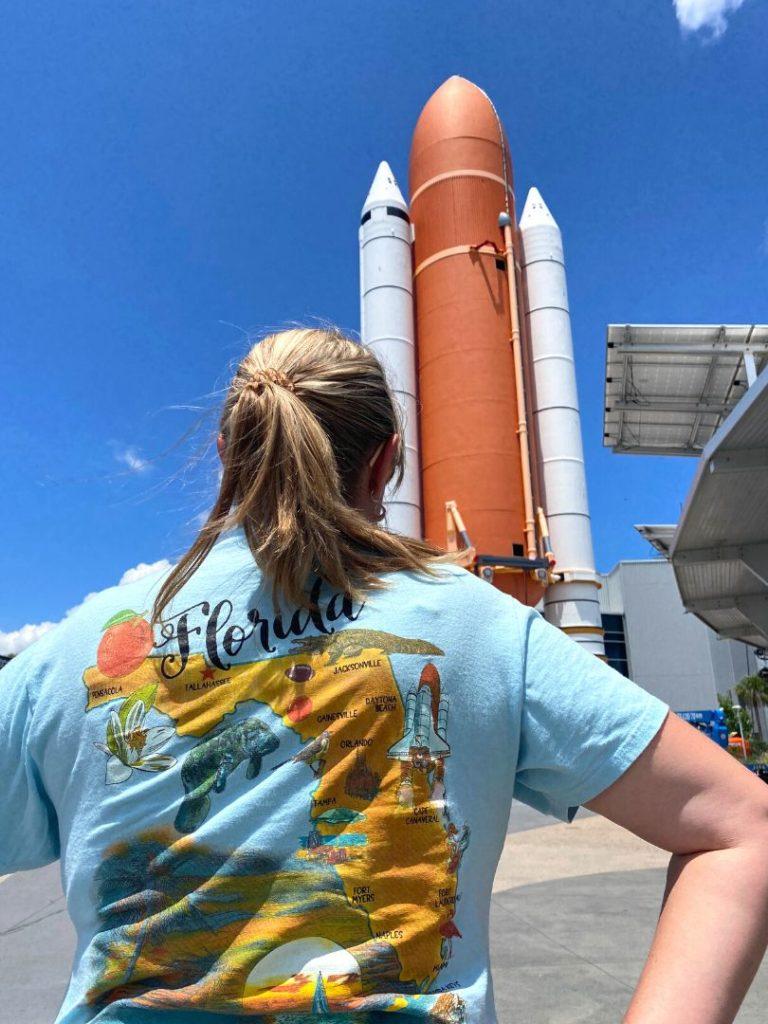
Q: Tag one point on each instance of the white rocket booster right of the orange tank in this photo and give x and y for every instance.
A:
(572, 606)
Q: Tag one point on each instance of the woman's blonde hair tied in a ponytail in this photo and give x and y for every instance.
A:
(306, 411)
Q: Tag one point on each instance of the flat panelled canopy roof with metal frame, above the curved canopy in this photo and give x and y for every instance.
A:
(669, 388)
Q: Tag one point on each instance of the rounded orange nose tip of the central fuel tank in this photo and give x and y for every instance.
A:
(458, 123)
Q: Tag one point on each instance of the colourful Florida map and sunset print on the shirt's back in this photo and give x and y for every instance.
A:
(359, 917)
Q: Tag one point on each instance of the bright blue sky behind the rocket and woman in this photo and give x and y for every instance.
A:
(178, 174)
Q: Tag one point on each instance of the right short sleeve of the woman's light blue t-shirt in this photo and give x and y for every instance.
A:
(583, 723)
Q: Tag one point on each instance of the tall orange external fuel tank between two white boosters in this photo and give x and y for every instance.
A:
(461, 181)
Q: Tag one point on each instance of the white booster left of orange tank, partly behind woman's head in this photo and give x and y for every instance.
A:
(388, 327)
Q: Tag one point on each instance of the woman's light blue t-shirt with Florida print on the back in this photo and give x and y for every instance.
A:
(296, 817)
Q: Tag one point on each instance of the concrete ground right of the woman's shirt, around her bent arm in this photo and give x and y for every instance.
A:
(573, 917)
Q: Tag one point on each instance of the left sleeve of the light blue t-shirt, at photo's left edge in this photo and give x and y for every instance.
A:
(29, 829)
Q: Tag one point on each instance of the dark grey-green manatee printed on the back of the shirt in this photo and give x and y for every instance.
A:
(210, 764)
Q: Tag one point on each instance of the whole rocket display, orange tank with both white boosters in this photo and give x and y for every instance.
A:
(476, 325)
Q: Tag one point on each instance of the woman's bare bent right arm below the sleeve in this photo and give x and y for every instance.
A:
(689, 796)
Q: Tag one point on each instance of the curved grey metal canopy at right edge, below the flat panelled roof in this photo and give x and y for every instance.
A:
(720, 550)
